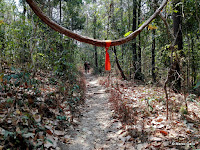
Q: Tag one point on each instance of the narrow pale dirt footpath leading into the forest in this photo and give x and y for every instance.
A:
(97, 130)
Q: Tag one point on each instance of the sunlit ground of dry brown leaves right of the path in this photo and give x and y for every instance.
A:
(142, 112)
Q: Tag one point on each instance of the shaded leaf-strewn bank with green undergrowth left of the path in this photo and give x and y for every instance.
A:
(35, 112)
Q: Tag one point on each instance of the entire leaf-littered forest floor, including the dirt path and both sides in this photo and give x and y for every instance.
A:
(115, 115)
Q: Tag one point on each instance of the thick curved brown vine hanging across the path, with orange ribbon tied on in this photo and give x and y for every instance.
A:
(85, 39)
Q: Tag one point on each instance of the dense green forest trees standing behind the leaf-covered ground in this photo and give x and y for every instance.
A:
(175, 33)
